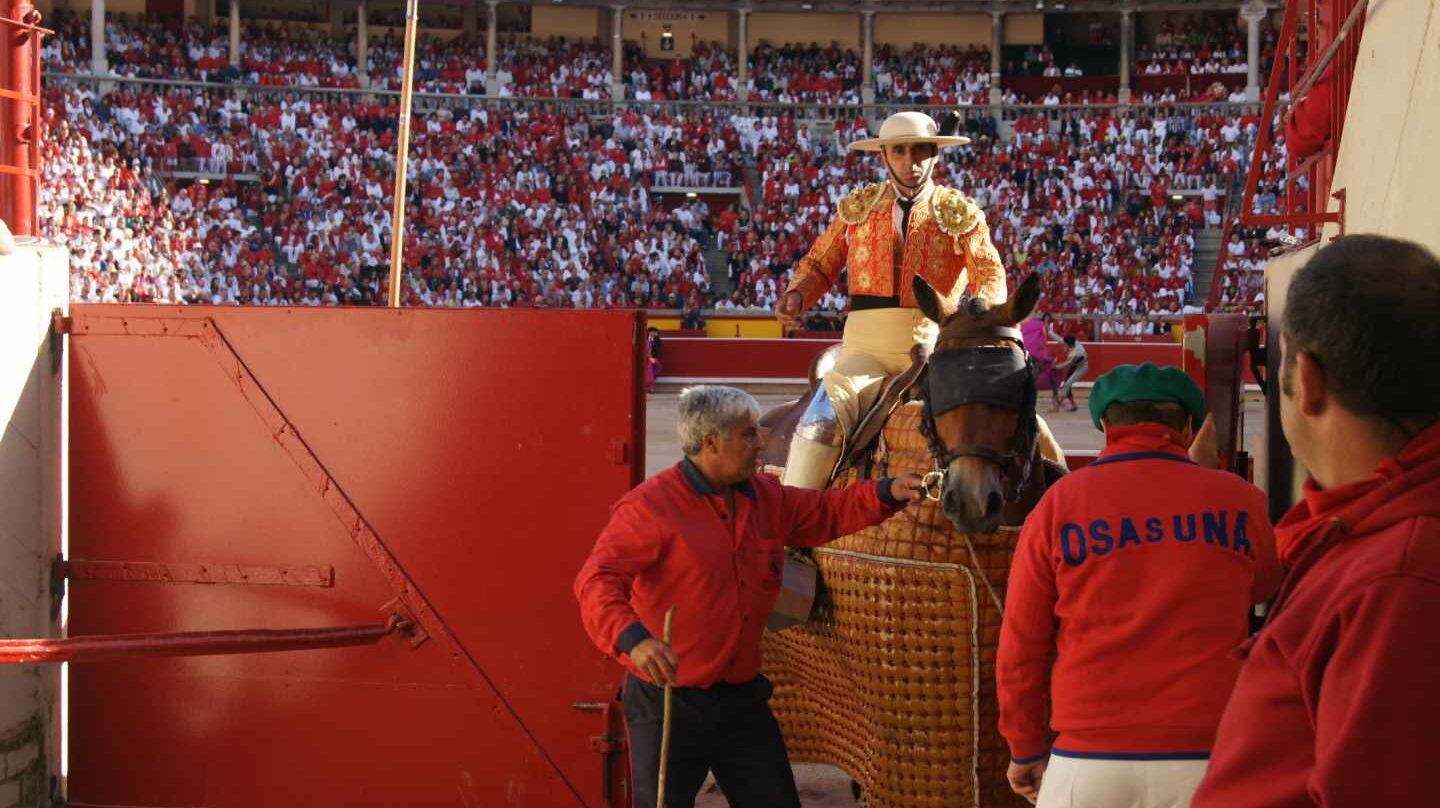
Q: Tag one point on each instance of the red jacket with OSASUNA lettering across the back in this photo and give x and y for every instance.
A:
(1130, 590)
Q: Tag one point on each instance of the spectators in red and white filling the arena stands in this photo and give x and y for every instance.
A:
(549, 207)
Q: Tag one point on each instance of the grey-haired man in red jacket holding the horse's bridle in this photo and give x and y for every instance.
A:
(708, 537)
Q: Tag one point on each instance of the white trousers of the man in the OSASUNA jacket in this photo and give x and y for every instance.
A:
(1082, 783)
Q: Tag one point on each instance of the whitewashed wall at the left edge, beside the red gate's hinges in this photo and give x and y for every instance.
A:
(32, 283)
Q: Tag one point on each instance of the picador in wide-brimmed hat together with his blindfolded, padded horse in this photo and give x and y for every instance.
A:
(886, 668)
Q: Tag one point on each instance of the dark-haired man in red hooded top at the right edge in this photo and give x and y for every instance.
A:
(1337, 701)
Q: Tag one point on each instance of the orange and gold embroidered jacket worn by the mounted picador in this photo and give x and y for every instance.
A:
(947, 244)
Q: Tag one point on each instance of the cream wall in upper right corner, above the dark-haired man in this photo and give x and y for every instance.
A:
(1387, 165)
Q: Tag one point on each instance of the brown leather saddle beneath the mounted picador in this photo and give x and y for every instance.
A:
(896, 391)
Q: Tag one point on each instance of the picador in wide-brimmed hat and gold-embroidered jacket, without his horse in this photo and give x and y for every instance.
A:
(886, 234)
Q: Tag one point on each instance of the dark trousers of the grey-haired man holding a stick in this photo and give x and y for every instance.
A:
(726, 730)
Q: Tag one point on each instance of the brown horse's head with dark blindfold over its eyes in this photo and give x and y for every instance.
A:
(980, 405)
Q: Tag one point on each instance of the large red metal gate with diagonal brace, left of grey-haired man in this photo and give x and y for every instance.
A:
(302, 469)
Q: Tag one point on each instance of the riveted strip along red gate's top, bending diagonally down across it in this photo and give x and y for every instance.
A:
(411, 604)
